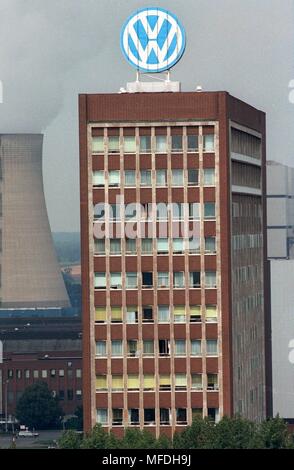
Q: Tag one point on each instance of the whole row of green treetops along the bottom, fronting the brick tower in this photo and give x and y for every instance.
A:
(229, 433)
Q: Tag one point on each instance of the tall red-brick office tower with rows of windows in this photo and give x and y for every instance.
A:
(175, 315)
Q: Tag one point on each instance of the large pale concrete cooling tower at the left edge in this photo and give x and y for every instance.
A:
(30, 274)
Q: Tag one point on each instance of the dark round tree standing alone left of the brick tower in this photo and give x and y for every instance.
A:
(37, 408)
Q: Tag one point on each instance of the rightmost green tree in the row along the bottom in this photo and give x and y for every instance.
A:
(273, 434)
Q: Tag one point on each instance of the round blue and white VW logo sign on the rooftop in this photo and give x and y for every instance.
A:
(153, 40)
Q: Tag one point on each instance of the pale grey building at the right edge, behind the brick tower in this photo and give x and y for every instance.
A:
(280, 232)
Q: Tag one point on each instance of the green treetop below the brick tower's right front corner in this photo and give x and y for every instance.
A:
(235, 433)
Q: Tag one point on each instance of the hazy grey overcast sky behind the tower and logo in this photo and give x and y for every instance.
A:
(51, 50)
